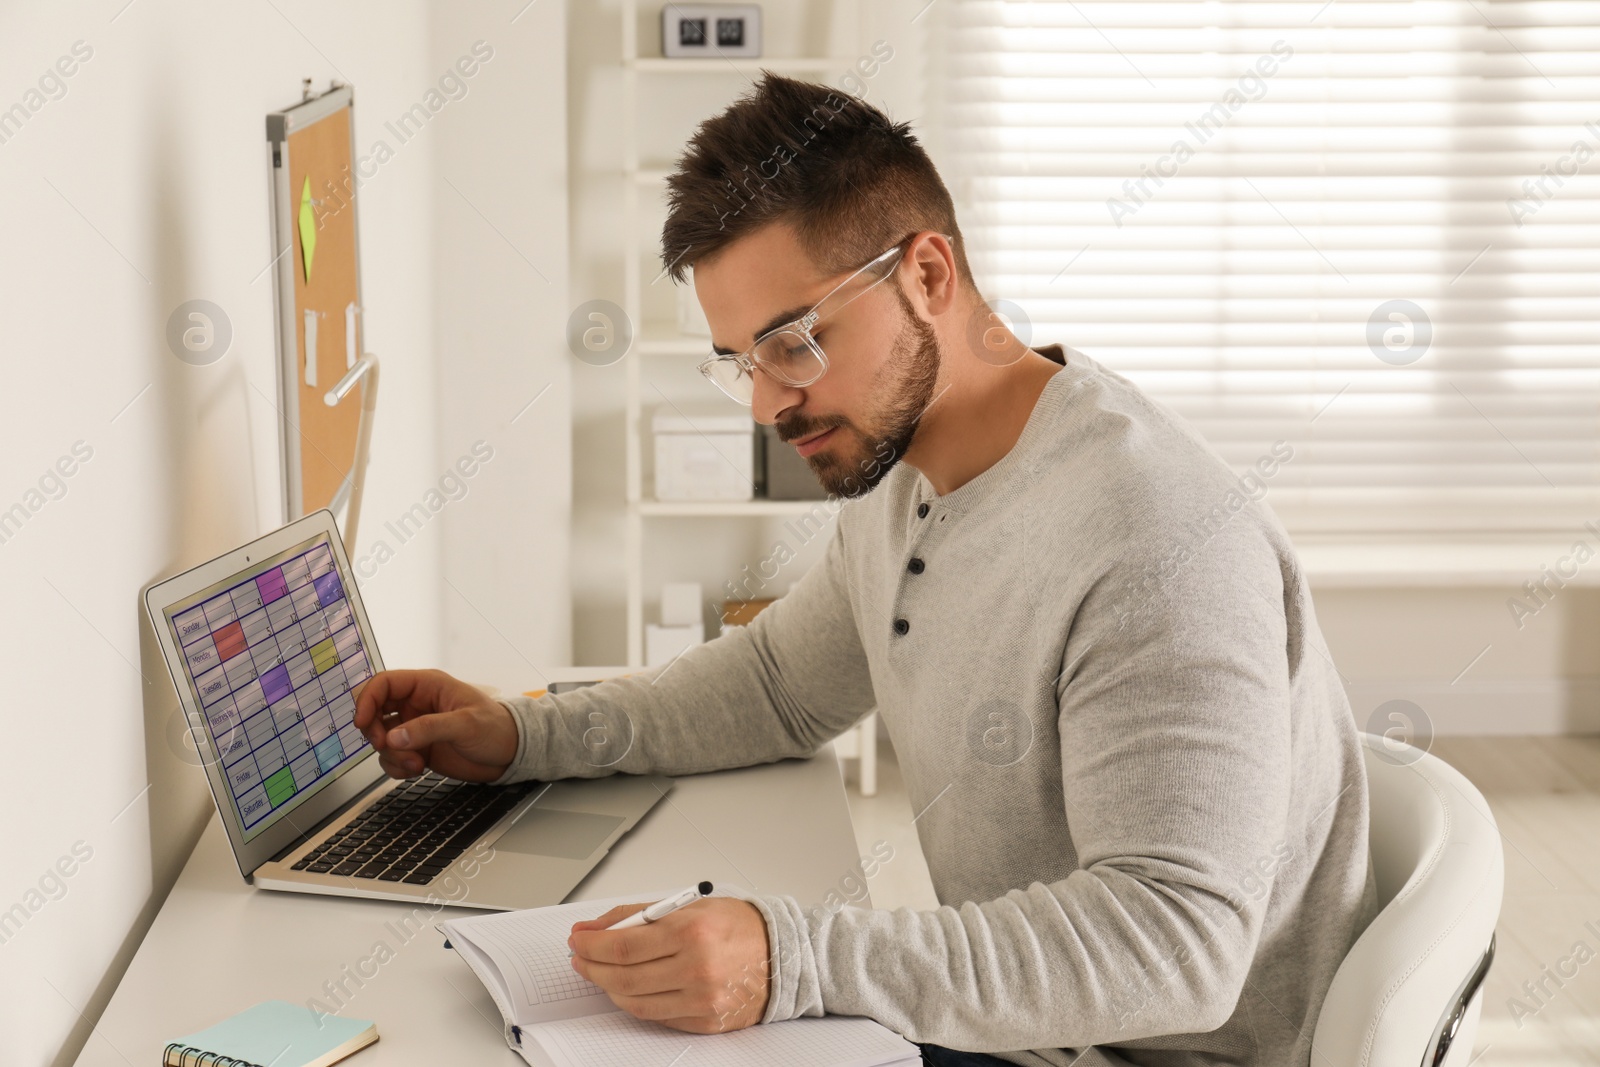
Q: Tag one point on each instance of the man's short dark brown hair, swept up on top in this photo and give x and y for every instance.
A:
(850, 182)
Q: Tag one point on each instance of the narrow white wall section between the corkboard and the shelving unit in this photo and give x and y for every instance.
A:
(502, 308)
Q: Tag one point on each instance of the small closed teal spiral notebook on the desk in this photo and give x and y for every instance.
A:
(273, 1034)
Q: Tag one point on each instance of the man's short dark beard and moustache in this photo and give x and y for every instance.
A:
(858, 460)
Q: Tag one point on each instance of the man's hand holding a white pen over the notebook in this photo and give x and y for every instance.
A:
(702, 969)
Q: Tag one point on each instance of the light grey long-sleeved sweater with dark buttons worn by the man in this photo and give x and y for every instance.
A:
(1140, 786)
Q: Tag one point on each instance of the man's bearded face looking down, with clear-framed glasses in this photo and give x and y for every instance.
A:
(855, 423)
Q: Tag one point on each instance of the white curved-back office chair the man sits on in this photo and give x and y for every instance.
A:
(1412, 988)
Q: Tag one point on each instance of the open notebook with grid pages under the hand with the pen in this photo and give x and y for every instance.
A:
(556, 1018)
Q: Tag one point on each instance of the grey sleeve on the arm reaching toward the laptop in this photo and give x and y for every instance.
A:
(780, 687)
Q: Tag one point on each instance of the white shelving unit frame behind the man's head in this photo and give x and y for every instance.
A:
(658, 342)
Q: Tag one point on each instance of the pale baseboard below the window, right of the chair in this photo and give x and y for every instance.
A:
(1553, 706)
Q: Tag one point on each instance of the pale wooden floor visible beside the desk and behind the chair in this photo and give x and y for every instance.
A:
(1546, 801)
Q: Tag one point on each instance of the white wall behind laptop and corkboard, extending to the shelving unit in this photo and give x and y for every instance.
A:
(142, 188)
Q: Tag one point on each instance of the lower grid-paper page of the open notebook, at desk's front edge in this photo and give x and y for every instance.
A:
(622, 1041)
